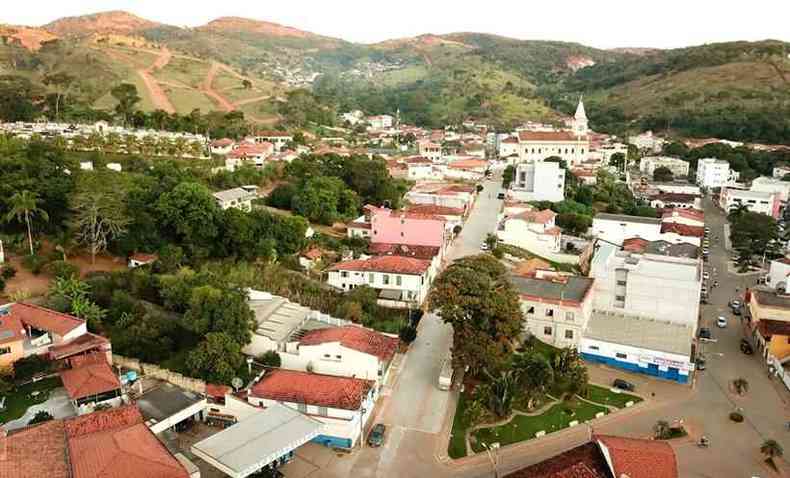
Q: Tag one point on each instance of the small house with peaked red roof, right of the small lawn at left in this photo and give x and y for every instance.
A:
(91, 381)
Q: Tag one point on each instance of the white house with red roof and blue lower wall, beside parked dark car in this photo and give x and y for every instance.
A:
(344, 405)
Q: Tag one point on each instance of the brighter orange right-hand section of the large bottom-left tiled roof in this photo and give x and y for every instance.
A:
(116, 443)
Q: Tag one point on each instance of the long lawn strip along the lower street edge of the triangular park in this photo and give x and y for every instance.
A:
(523, 428)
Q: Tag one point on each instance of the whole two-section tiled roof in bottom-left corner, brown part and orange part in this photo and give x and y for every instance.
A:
(113, 443)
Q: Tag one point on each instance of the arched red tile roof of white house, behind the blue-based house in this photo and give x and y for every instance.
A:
(356, 338)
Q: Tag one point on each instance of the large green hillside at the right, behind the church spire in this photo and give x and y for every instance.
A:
(736, 90)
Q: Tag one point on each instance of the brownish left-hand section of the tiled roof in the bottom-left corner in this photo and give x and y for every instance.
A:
(35, 451)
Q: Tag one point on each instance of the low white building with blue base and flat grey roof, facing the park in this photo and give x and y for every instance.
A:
(639, 344)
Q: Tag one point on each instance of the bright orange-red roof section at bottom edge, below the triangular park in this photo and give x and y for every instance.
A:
(638, 458)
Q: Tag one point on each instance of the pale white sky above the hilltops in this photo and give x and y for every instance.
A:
(602, 24)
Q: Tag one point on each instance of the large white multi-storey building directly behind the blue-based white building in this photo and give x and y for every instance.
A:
(651, 285)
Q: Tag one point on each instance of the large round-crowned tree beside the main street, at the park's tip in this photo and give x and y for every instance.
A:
(475, 296)
